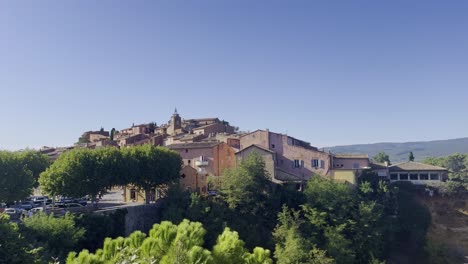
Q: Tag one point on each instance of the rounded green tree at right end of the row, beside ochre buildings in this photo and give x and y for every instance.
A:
(149, 167)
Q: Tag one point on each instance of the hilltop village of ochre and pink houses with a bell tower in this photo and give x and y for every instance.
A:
(208, 146)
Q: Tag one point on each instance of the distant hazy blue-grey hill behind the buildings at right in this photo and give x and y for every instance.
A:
(399, 152)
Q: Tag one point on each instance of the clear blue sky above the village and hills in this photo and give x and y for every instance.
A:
(329, 72)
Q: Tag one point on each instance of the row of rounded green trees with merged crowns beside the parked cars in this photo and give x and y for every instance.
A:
(81, 172)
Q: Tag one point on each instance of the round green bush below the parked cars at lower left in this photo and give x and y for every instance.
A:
(57, 235)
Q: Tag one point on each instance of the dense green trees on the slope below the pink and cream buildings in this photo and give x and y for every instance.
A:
(337, 223)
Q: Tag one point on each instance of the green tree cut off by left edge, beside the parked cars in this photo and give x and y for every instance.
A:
(16, 180)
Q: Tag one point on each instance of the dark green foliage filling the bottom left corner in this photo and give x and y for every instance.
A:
(13, 246)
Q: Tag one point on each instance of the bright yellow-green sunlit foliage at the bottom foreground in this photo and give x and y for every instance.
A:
(173, 244)
